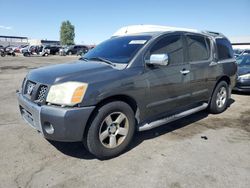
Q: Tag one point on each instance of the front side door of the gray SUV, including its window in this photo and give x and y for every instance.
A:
(168, 85)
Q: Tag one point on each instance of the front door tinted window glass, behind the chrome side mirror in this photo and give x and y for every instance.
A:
(171, 45)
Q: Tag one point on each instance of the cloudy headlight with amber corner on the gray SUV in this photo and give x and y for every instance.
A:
(68, 93)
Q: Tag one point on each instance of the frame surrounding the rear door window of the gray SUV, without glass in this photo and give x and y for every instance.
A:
(210, 58)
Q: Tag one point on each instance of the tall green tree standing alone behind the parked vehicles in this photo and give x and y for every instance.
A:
(67, 33)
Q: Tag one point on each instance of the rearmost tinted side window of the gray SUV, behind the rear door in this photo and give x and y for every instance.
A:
(224, 48)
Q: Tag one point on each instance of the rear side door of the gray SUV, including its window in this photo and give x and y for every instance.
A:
(200, 58)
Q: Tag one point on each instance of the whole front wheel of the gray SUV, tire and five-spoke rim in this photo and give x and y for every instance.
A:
(111, 130)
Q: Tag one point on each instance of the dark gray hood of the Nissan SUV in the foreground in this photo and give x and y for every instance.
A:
(81, 71)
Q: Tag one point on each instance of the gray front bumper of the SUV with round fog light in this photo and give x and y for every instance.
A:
(55, 123)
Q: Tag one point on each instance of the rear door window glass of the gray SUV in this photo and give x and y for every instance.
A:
(198, 48)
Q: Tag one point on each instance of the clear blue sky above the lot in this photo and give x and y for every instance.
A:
(96, 21)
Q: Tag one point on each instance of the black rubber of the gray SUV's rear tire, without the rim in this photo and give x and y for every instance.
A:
(213, 105)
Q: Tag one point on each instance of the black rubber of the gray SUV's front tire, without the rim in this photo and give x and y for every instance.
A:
(92, 140)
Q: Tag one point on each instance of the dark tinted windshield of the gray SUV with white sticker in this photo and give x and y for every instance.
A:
(118, 50)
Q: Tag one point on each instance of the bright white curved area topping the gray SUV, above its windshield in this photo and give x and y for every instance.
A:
(134, 29)
